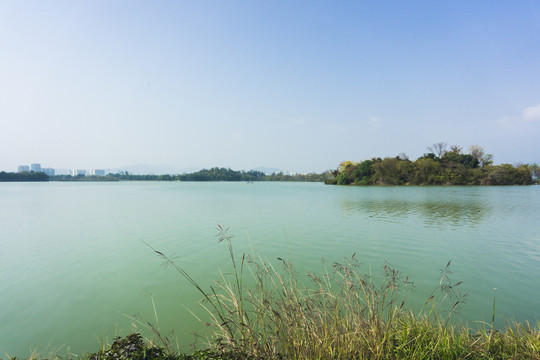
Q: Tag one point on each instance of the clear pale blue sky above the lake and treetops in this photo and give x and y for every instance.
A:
(289, 84)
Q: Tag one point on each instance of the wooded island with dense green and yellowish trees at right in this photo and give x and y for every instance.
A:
(440, 166)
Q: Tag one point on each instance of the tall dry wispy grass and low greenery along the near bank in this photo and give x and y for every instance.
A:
(264, 312)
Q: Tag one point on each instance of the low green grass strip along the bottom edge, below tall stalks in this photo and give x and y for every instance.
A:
(410, 339)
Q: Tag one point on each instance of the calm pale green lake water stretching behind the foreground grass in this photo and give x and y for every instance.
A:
(73, 265)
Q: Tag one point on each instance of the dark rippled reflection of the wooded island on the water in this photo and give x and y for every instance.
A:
(430, 212)
